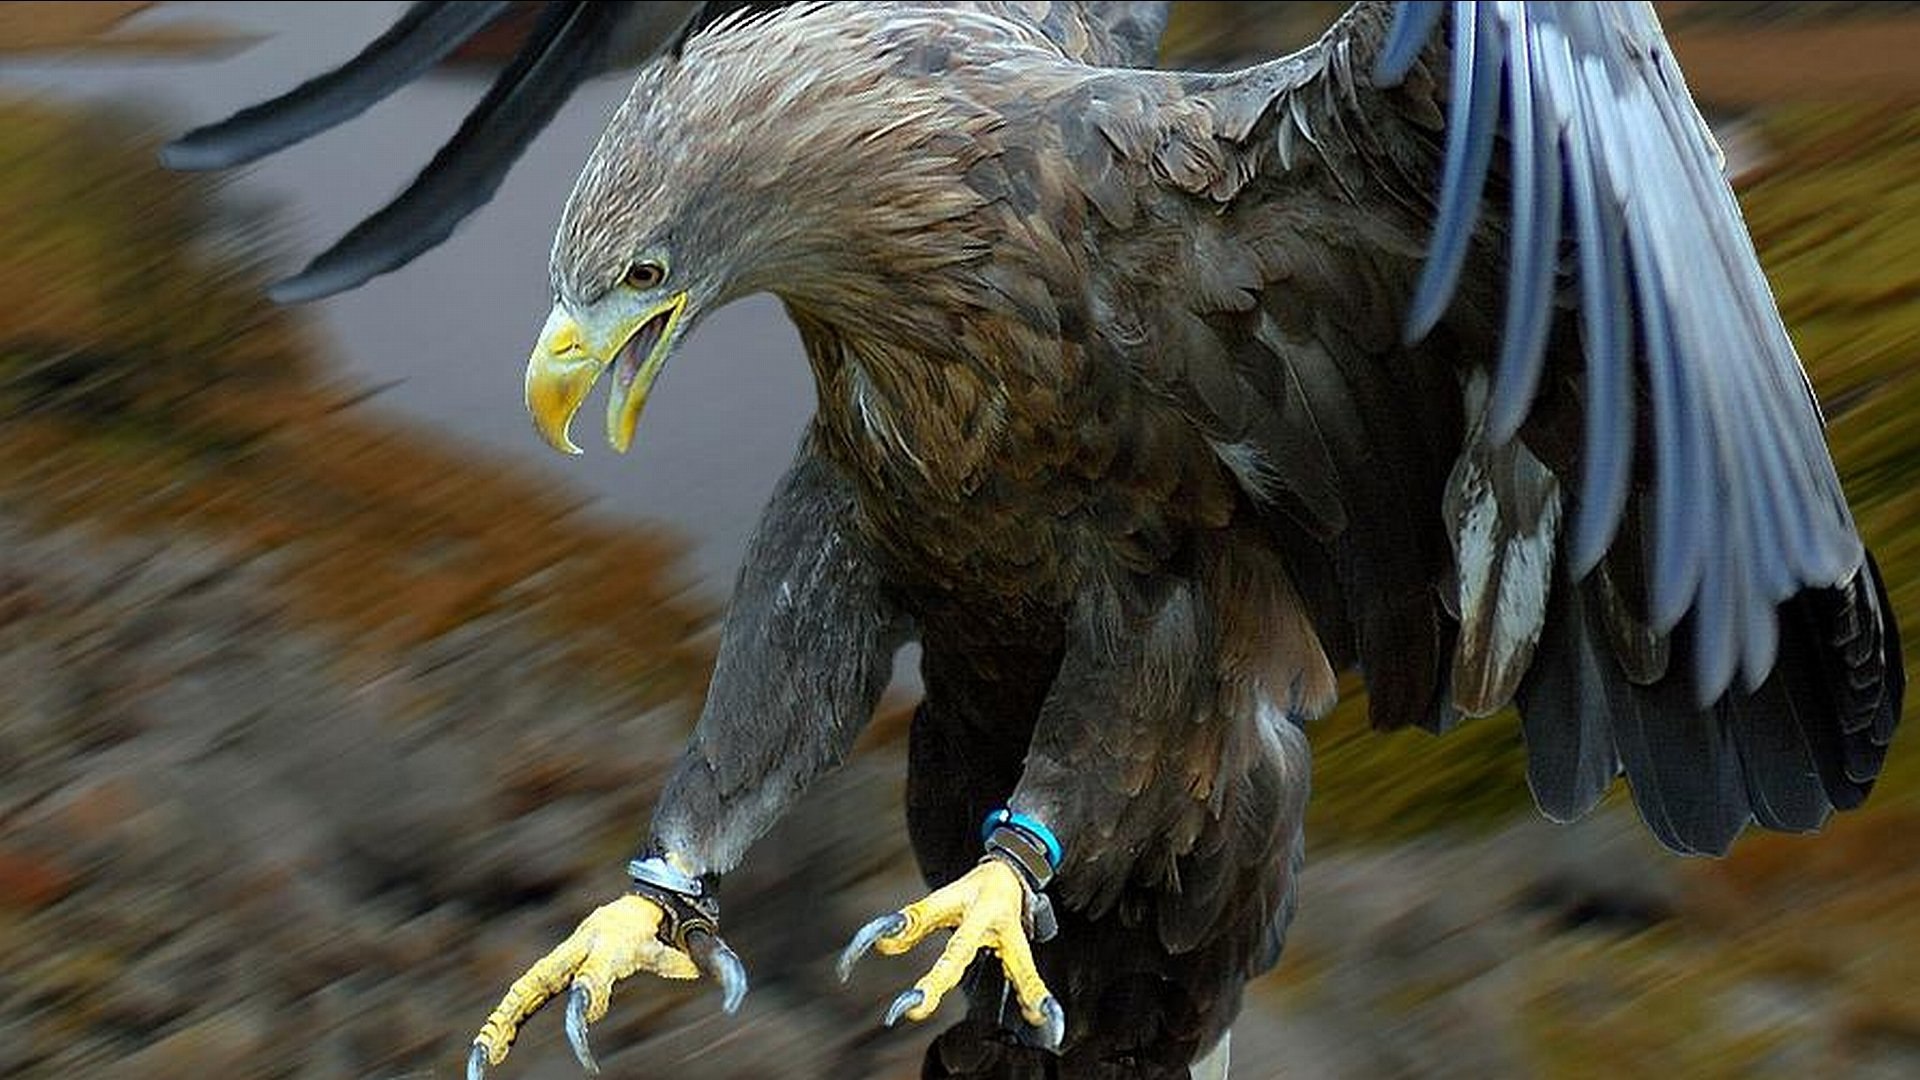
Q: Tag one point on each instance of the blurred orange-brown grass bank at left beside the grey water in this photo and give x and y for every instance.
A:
(149, 385)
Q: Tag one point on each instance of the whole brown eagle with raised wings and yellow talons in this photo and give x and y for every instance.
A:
(1147, 405)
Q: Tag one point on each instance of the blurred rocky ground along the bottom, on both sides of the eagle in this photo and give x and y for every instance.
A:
(231, 847)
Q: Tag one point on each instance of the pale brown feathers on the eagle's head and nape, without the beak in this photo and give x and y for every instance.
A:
(815, 153)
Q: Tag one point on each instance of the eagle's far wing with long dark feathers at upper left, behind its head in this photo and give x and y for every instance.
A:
(569, 43)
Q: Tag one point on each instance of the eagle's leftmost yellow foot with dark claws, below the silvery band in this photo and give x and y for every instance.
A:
(613, 943)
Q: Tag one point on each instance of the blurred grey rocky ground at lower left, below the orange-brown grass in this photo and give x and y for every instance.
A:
(233, 848)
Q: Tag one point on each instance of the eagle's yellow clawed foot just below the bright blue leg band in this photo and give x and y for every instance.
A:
(986, 910)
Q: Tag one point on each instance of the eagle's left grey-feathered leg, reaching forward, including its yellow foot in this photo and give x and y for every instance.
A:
(805, 652)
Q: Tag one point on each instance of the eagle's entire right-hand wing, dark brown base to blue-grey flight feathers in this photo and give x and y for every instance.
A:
(1644, 543)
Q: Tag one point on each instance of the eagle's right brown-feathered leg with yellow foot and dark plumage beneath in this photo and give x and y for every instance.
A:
(1176, 781)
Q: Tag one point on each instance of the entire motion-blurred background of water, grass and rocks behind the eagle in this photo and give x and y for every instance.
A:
(329, 697)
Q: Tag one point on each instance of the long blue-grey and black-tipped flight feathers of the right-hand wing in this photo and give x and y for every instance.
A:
(1750, 556)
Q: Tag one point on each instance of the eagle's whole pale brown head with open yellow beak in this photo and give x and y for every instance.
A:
(788, 157)
